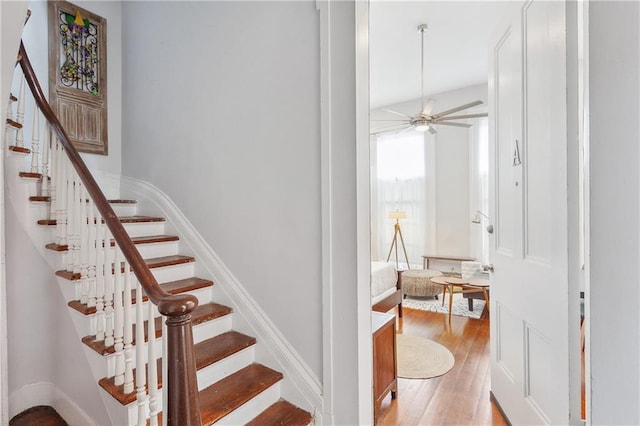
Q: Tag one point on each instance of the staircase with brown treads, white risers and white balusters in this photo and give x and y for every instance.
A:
(117, 321)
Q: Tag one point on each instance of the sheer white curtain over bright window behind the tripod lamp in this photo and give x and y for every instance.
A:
(399, 183)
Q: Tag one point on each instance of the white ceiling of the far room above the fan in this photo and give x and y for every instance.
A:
(456, 46)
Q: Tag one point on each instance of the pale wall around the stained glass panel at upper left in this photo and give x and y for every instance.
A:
(36, 43)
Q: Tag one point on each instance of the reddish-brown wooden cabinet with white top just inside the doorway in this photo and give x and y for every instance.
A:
(385, 377)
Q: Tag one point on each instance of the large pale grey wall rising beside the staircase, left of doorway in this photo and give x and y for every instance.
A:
(221, 112)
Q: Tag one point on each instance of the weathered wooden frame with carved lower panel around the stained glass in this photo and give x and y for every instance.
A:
(82, 114)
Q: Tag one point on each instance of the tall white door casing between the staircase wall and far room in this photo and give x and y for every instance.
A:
(346, 390)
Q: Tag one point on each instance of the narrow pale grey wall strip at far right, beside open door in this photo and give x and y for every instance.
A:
(614, 64)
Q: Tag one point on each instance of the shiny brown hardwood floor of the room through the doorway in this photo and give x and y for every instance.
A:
(460, 397)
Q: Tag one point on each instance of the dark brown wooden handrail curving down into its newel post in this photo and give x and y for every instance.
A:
(183, 407)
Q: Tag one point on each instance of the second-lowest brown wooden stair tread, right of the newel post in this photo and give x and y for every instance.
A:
(224, 396)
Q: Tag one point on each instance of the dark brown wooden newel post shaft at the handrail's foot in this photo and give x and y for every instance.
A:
(182, 384)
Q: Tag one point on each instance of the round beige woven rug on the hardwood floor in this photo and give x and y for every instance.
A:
(420, 358)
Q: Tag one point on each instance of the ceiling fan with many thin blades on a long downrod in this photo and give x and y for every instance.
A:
(424, 120)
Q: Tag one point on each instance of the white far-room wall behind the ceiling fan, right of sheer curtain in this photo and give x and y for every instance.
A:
(451, 185)
